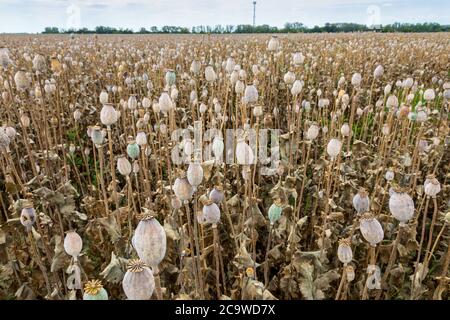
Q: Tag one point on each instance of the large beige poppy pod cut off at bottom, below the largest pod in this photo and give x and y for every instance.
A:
(138, 282)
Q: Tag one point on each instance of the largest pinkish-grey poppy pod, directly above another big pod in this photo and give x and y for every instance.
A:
(150, 241)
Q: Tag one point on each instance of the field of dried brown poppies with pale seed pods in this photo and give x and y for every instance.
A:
(225, 167)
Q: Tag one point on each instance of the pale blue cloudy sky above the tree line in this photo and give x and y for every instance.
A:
(33, 16)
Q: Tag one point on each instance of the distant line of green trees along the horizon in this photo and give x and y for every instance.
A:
(290, 27)
